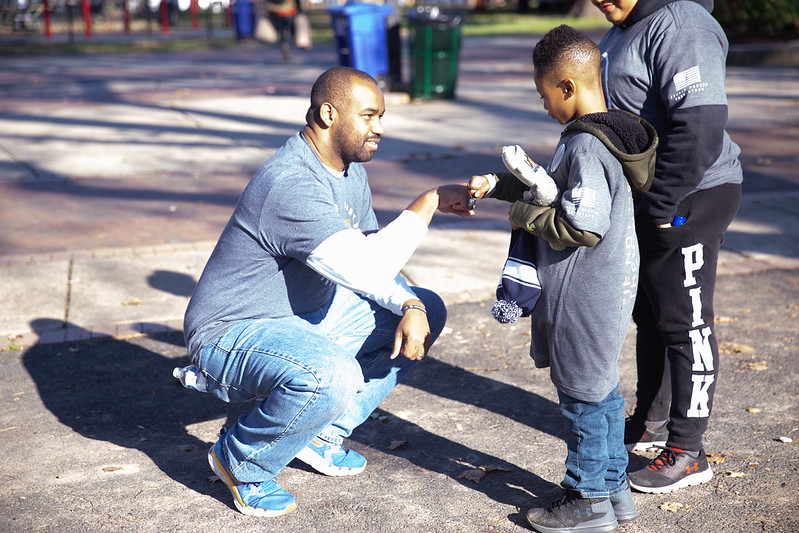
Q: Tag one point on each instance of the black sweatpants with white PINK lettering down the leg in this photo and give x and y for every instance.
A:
(676, 348)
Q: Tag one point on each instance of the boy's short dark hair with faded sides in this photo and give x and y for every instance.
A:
(565, 52)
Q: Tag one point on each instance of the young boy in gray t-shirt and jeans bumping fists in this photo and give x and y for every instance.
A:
(587, 259)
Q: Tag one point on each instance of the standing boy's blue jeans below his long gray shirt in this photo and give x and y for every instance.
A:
(596, 463)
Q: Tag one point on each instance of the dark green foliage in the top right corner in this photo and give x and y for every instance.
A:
(758, 19)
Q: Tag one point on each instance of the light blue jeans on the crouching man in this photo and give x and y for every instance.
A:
(321, 373)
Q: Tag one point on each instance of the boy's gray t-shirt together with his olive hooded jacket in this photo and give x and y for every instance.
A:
(588, 284)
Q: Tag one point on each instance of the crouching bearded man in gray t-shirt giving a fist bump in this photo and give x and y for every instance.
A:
(301, 305)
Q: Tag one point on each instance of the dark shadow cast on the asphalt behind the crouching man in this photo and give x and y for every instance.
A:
(118, 392)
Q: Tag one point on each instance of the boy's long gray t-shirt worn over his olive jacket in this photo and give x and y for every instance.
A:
(582, 316)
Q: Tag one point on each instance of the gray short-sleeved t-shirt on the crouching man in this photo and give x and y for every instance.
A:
(258, 268)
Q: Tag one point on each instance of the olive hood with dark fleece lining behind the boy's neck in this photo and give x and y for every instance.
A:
(631, 140)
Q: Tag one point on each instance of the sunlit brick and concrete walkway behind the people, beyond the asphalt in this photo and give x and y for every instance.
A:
(117, 173)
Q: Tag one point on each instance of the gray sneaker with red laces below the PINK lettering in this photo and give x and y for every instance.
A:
(671, 470)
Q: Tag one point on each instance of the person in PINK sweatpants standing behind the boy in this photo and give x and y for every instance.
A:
(665, 61)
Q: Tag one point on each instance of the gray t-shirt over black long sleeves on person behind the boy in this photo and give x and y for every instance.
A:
(666, 63)
